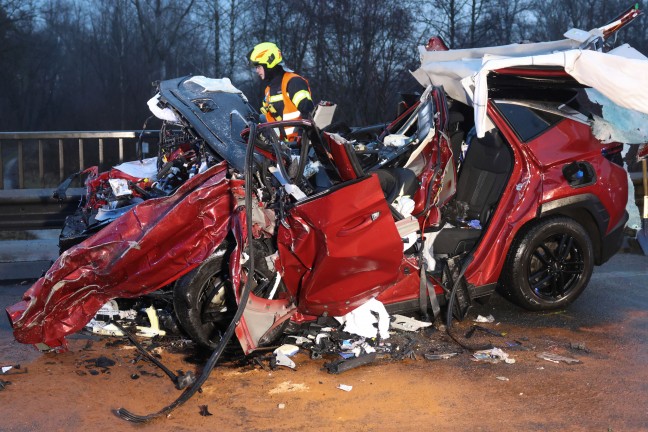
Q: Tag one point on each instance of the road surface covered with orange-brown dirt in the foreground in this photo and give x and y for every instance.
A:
(607, 390)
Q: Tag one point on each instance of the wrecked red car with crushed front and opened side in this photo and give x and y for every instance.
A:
(495, 184)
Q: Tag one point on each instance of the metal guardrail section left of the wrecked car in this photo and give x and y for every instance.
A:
(33, 164)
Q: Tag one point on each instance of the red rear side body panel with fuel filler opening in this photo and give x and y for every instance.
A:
(537, 178)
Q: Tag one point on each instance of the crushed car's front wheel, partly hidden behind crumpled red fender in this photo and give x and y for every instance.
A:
(201, 300)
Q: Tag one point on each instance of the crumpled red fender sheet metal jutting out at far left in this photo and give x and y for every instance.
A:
(138, 253)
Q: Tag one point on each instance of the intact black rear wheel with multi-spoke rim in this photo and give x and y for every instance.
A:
(549, 264)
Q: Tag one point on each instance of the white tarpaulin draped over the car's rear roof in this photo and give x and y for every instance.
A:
(621, 75)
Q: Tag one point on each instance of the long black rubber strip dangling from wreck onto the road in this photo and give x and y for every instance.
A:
(215, 356)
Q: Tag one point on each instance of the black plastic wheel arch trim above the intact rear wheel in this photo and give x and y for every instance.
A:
(587, 210)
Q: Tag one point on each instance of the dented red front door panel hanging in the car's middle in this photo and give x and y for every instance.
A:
(342, 247)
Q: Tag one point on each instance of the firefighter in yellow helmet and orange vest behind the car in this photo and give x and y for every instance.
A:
(287, 95)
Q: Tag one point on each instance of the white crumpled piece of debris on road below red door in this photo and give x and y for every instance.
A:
(367, 320)
